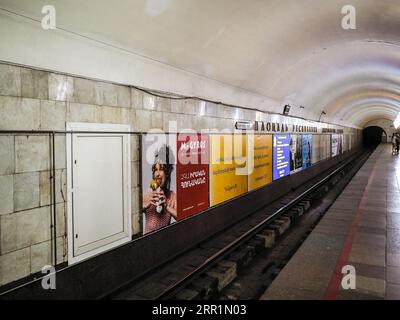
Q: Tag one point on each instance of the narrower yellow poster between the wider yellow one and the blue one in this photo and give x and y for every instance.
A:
(262, 172)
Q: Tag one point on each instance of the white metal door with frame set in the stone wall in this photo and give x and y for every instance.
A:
(99, 188)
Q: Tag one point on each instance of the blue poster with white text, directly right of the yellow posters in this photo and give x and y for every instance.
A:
(281, 159)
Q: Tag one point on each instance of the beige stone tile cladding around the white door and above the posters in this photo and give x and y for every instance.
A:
(33, 99)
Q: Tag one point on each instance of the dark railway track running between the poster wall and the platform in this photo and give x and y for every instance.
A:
(218, 268)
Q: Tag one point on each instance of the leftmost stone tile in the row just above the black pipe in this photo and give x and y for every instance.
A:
(19, 114)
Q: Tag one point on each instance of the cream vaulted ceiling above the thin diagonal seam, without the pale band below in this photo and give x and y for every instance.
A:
(292, 51)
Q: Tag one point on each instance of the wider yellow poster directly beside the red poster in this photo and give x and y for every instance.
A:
(228, 171)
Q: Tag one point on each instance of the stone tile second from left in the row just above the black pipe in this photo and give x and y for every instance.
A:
(52, 115)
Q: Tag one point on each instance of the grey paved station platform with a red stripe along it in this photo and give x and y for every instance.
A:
(361, 229)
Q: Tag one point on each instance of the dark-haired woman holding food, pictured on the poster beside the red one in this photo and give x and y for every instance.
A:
(159, 202)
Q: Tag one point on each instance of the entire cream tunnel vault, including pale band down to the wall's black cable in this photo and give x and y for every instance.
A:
(330, 61)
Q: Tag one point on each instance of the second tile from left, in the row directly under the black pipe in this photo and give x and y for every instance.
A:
(31, 153)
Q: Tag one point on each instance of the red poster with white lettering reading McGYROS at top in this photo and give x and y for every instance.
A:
(192, 174)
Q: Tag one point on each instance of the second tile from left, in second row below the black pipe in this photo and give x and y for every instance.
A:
(26, 191)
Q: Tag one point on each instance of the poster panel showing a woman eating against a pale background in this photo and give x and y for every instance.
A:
(159, 202)
